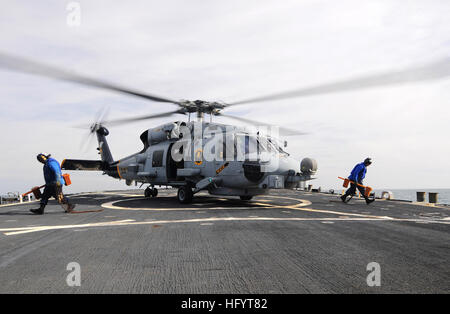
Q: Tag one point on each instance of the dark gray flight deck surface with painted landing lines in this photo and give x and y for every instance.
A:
(285, 242)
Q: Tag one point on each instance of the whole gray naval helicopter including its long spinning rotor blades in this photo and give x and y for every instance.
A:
(195, 156)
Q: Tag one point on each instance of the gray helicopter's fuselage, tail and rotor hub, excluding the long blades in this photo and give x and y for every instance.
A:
(195, 156)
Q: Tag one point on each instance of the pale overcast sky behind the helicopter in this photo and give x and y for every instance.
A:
(230, 51)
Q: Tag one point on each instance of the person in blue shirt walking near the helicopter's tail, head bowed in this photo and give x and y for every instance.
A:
(53, 185)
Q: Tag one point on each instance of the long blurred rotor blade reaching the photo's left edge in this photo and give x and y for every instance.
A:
(23, 65)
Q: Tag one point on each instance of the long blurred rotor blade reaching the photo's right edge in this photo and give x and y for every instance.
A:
(431, 71)
